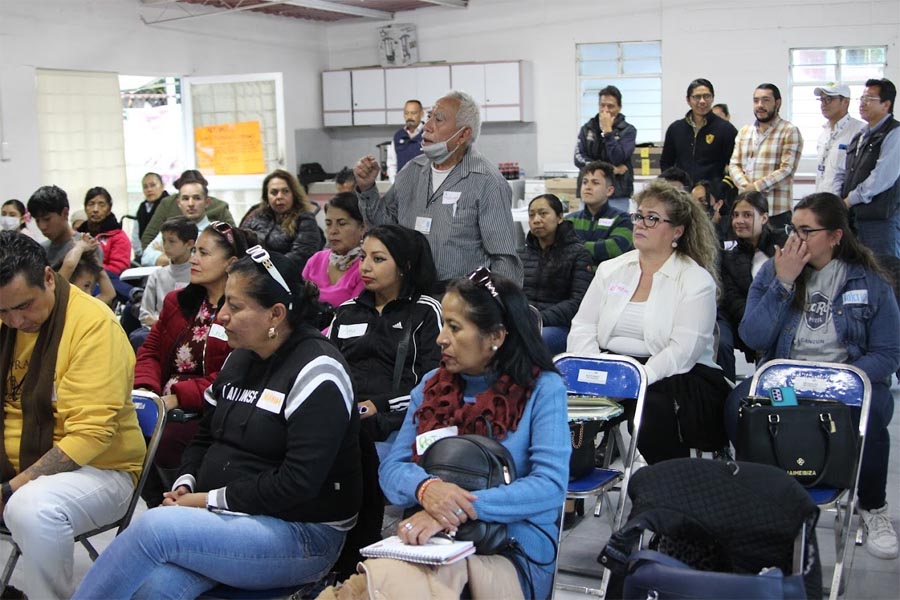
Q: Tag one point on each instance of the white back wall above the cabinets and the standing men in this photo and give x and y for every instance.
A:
(734, 43)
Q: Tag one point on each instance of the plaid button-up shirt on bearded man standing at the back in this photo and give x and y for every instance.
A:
(766, 161)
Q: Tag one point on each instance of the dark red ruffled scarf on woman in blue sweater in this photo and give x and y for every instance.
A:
(501, 406)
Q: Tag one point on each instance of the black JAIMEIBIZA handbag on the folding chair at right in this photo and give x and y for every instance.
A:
(816, 441)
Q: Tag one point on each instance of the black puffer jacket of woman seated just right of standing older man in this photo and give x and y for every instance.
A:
(557, 278)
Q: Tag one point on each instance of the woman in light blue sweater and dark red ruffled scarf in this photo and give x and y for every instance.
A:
(495, 370)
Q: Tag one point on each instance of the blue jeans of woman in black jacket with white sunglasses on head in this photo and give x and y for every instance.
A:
(179, 552)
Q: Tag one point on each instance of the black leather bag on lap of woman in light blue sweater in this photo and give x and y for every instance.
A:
(473, 462)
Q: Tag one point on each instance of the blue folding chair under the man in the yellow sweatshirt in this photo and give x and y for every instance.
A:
(151, 413)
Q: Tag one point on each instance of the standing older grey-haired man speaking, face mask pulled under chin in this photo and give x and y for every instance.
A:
(451, 193)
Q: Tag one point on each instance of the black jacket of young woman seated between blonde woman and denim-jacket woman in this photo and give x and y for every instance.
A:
(736, 270)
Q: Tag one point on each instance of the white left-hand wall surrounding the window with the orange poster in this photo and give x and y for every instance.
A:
(108, 35)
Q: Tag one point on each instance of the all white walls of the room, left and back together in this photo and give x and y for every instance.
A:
(735, 44)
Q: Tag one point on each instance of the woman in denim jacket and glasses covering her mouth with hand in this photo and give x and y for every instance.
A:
(823, 298)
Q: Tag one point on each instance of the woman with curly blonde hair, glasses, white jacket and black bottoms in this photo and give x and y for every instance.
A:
(657, 304)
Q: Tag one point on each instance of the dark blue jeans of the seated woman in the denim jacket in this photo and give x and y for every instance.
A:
(873, 469)
